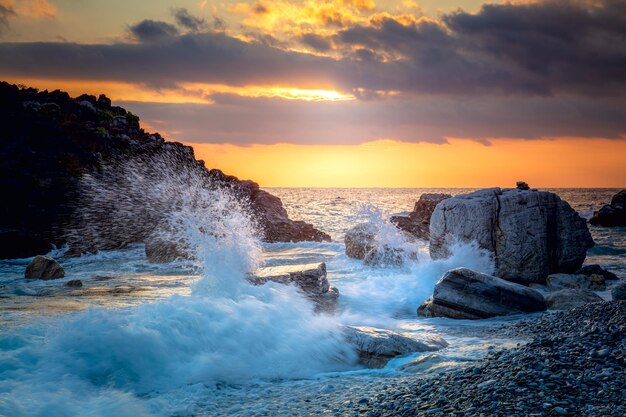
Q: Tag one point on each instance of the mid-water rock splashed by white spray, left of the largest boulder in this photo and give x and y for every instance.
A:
(364, 242)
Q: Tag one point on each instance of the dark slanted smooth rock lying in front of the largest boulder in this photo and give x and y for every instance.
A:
(465, 294)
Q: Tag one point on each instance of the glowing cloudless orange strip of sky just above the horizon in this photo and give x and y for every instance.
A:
(462, 163)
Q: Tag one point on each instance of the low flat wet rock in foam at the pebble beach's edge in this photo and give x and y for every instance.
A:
(377, 346)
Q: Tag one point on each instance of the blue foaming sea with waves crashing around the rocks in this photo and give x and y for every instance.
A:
(192, 338)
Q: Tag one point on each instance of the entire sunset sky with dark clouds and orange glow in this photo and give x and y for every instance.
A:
(350, 93)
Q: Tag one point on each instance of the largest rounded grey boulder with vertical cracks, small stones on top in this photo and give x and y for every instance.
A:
(531, 233)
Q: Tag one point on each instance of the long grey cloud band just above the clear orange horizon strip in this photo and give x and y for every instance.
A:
(241, 120)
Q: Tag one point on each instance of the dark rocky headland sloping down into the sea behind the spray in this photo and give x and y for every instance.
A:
(50, 142)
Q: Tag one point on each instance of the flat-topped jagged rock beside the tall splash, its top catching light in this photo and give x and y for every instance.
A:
(310, 278)
